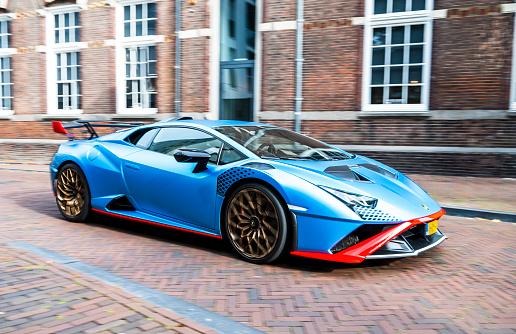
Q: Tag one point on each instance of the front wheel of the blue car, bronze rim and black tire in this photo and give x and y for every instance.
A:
(255, 223)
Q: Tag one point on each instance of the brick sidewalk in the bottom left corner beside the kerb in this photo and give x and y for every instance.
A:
(40, 296)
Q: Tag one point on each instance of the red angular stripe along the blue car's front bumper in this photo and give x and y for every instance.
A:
(360, 251)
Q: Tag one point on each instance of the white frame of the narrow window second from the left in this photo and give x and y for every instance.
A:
(53, 50)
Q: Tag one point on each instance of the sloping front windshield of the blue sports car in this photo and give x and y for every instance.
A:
(277, 143)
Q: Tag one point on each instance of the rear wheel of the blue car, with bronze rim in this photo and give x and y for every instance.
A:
(72, 193)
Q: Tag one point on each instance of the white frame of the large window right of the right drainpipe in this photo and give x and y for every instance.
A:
(392, 20)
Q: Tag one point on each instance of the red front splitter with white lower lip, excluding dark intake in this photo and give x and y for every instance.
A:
(365, 249)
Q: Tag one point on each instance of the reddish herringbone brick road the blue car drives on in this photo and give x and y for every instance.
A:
(466, 285)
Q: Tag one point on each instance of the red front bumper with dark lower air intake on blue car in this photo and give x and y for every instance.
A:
(390, 243)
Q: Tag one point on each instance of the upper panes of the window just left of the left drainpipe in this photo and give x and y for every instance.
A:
(140, 20)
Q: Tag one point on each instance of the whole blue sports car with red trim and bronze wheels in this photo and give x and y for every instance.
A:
(264, 189)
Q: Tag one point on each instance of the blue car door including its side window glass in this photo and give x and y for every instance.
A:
(161, 185)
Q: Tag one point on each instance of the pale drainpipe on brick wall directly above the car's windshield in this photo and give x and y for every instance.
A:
(299, 66)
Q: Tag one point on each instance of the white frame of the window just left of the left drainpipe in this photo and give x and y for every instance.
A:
(123, 43)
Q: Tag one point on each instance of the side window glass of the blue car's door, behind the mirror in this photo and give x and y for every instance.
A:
(169, 140)
